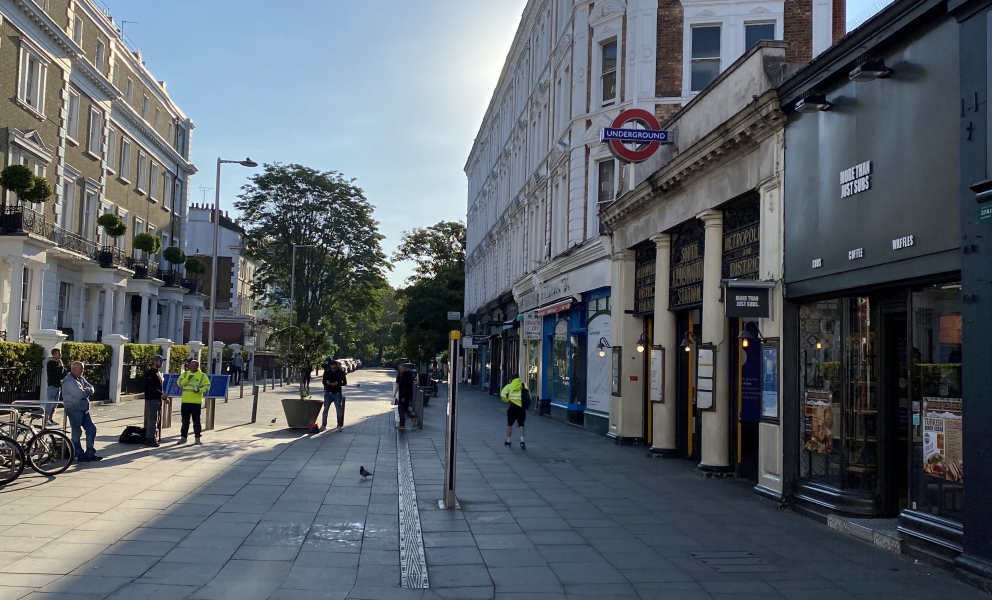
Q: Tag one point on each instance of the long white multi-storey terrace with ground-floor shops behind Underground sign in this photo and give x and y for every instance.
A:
(538, 277)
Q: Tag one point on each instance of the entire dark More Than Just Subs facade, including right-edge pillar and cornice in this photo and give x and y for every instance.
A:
(888, 264)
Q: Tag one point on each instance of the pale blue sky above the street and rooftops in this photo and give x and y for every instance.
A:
(390, 92)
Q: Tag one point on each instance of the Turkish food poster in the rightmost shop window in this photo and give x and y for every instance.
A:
(942, 453)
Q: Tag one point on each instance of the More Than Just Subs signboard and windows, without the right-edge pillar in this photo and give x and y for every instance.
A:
(874, 313)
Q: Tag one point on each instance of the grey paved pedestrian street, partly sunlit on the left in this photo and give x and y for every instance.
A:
(263, 512)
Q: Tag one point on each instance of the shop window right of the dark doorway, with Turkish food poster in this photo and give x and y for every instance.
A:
(938, 468)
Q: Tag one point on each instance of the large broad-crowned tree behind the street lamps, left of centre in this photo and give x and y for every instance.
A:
(335, 279)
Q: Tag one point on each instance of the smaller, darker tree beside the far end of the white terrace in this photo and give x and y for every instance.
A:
(437, 286)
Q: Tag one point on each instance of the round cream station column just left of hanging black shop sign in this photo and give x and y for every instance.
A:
(715, 450)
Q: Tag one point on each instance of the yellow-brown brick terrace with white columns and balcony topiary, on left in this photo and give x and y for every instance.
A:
(108, 138)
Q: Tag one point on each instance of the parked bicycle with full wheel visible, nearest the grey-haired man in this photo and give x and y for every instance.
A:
(48, 452)
